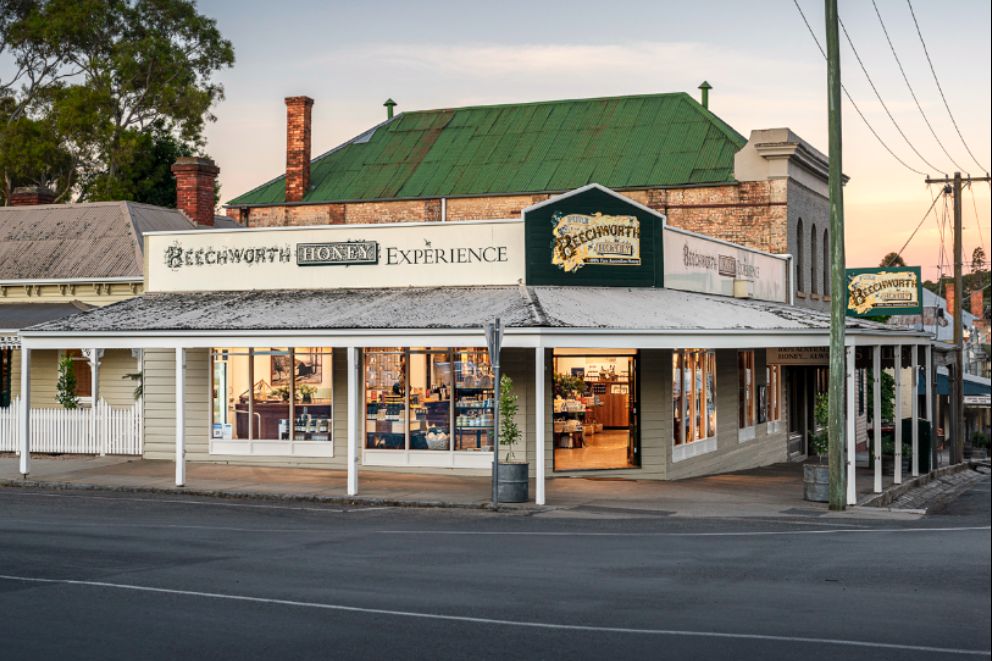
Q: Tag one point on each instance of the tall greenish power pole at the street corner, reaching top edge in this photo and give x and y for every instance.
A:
(838, 302)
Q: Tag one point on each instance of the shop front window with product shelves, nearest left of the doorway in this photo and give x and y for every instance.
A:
(428, 399)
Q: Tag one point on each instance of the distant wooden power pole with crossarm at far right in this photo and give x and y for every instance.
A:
(960, 446)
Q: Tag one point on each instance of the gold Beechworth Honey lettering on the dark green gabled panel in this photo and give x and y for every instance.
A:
(581, 239)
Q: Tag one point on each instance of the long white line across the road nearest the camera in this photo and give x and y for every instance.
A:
(500, 622)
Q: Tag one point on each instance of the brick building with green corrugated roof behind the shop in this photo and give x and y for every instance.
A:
(667, 152)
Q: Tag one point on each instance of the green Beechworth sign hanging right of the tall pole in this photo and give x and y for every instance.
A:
(883, 291)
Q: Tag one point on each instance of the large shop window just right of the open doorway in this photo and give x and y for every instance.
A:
(693, 395)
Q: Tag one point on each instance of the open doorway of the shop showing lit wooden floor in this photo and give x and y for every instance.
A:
(595, 410)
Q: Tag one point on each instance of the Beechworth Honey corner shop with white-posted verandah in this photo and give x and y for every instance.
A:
(637, 349)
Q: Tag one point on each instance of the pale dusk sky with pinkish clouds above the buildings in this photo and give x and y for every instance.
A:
(764, 66)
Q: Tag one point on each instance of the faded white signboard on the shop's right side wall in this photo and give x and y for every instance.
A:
(709, 266)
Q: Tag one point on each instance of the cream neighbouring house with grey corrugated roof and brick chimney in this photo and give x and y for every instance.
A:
(59, 259)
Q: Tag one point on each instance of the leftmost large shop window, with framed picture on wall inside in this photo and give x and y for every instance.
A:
(272, 394)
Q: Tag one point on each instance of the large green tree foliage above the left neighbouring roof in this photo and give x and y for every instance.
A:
(101, 92)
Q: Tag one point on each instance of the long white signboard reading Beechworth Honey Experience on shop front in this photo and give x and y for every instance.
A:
(339, 256)
